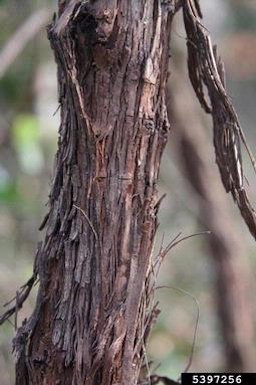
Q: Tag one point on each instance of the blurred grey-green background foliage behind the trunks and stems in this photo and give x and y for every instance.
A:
(28, 140)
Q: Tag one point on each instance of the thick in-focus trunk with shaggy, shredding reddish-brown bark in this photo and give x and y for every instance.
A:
(92, 314)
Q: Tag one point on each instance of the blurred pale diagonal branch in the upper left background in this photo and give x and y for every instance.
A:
(26, 32)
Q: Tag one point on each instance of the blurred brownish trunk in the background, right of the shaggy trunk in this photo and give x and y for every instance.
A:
(234, 281)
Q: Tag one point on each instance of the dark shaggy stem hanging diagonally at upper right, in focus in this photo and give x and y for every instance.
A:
(206, 69)
